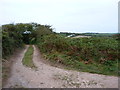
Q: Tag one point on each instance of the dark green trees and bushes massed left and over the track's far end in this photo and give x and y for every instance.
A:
(15, 35)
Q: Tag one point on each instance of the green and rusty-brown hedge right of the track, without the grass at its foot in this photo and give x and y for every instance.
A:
(86, 48)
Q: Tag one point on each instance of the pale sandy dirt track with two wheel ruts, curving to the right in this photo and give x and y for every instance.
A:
(47, 76)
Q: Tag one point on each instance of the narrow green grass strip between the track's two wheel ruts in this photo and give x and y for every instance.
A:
(27, 60)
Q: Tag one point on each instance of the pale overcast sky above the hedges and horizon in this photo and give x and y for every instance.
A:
(64, 15)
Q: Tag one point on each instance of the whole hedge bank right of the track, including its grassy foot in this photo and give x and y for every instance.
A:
(96, 51)
